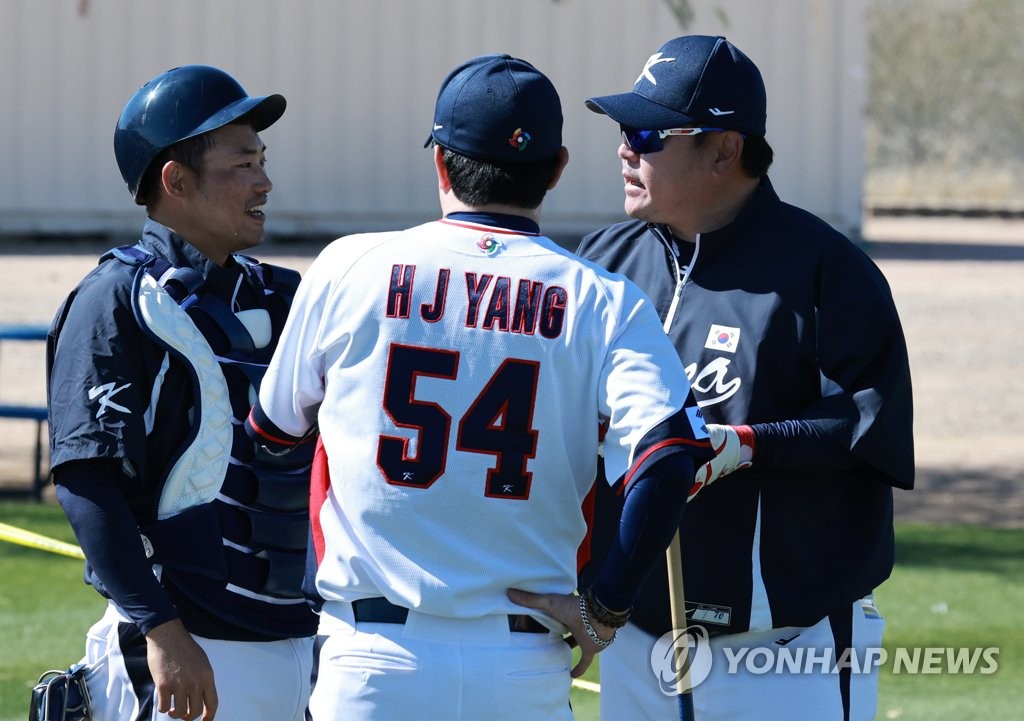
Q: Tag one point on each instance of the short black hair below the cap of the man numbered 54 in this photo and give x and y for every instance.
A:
(479, 183)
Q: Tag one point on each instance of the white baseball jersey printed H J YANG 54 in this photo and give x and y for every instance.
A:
(459, 374)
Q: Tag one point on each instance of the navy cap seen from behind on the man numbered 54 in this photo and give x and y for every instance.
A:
(498, 109)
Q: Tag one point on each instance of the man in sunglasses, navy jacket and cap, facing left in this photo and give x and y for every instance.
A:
(793, 346)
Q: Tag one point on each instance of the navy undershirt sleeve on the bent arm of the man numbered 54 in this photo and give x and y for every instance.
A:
(653, 511)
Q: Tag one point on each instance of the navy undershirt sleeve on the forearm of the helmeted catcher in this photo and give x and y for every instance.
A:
(110, 538)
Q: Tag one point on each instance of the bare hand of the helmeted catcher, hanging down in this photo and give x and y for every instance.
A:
(181, 672)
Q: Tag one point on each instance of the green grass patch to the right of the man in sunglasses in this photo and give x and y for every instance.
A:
(954, 587)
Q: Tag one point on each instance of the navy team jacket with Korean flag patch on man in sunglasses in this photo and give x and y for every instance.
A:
(785, 325)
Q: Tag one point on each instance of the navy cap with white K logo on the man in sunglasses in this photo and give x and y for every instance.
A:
(693, 80)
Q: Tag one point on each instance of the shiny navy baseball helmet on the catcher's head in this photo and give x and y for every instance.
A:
(179, 105)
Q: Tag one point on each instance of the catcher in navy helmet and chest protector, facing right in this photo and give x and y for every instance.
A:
(196, 537)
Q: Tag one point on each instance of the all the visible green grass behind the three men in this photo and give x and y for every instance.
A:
(954, 586)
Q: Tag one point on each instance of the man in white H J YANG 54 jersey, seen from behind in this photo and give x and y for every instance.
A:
(460, 374)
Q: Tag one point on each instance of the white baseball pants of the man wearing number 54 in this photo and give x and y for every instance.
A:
(438, 669)
